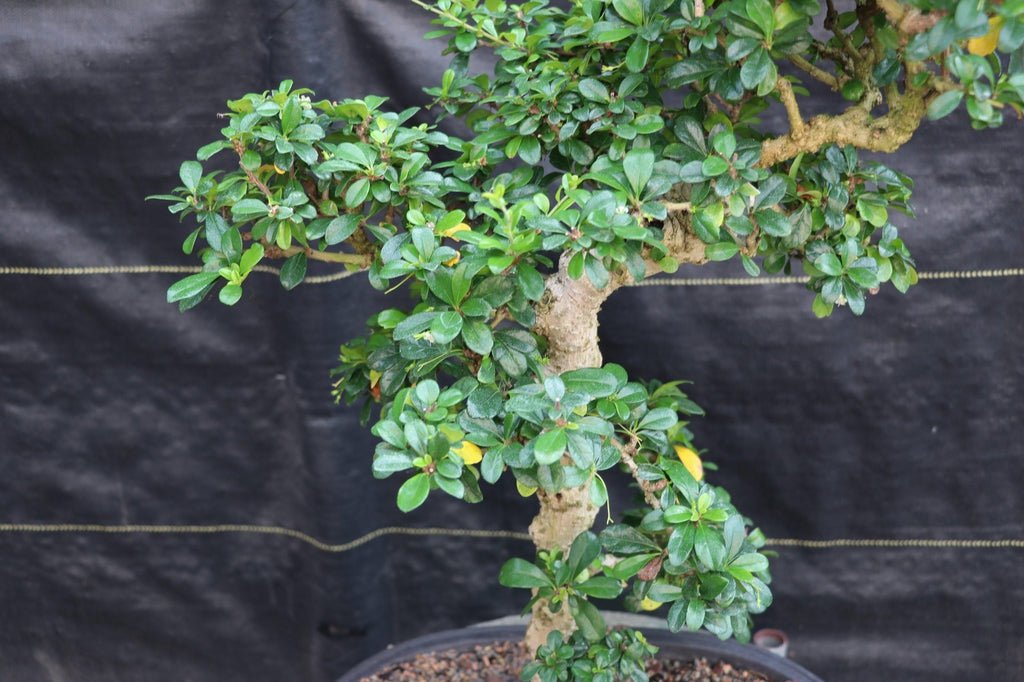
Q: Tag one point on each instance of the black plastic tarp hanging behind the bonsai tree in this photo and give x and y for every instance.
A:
(117, 410)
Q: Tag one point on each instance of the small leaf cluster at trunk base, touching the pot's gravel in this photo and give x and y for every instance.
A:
(619, 656)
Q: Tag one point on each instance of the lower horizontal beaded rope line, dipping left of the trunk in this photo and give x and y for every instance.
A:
(462, 533)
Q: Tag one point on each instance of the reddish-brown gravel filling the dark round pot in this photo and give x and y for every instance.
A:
(501, 662)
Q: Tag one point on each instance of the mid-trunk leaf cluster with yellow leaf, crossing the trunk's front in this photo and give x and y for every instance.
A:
(551, 433)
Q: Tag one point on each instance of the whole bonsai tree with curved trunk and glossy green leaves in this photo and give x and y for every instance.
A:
(615, 141)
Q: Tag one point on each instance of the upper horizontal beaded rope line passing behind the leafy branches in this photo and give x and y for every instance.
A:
(326, 279)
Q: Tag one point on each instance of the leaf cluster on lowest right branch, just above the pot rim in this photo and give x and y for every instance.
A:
(693, 551)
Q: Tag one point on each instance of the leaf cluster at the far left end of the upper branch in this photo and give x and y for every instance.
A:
(309, 177)
